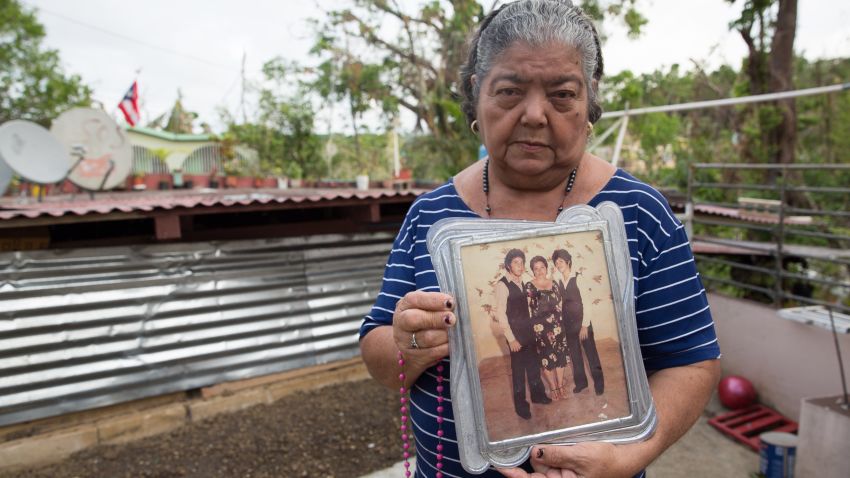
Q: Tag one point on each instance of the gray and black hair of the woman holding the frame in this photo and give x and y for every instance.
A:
(535, 22)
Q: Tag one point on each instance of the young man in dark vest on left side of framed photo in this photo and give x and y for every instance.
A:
(512, 310)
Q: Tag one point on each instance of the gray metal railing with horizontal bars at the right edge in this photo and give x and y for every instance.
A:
(767, 219)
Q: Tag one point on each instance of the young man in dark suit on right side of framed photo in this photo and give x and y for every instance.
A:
(578, 330)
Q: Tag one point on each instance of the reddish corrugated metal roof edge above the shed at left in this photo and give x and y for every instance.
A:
(130, 202)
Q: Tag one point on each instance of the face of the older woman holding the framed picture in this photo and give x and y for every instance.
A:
(532, 109)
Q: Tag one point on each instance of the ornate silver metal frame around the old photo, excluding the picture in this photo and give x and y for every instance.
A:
(478, 452)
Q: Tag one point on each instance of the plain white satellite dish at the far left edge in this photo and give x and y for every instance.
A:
(32, 152)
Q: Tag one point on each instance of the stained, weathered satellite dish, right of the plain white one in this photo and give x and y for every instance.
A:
(103, 156)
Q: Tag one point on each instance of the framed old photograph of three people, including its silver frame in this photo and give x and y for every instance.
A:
(546, 345)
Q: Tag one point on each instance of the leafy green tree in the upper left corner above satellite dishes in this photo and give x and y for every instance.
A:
(32, 83)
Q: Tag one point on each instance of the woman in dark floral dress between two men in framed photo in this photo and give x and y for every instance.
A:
(544, 300)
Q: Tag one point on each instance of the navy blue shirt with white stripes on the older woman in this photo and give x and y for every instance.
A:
(673, 319)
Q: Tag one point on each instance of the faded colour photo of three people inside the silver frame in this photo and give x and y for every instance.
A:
(545, 333)
